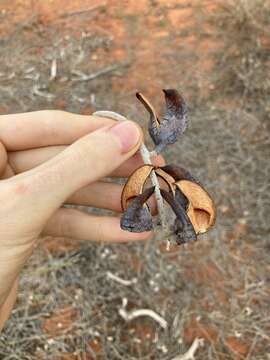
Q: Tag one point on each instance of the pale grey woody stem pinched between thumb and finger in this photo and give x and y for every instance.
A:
(146, 156)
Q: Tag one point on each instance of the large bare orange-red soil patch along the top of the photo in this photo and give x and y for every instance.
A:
(151, 40)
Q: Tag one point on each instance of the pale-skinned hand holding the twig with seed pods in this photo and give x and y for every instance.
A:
(50, 158)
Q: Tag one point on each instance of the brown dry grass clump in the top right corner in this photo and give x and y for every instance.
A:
(243, 27)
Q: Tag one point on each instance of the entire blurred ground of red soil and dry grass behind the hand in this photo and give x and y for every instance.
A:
(217, 53)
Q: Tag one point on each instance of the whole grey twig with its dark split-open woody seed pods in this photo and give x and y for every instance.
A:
(193, 207)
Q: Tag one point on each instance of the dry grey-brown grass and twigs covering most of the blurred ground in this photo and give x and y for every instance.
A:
(217, 289)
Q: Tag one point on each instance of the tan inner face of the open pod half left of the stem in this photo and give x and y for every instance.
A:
(135, 183)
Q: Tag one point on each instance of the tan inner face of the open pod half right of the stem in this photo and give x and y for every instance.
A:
(201, 209)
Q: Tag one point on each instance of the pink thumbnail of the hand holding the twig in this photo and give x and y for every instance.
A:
(128, 134)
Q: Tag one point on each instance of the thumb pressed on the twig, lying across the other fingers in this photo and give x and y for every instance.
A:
(91, 157)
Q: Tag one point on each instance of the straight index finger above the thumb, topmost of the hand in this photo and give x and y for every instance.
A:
(46, 127)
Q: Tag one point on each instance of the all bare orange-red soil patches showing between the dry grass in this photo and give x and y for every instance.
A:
(147, 36)
